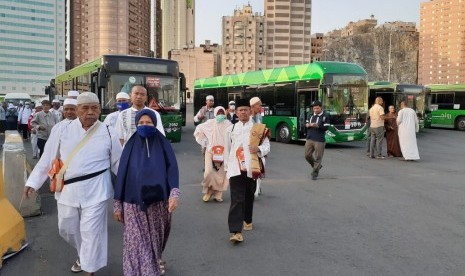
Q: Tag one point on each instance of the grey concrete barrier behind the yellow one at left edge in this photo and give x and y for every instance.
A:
(15, 175)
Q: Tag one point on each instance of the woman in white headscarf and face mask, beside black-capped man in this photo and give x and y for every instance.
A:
(211, 135)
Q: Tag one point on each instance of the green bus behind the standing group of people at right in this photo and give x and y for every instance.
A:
(416, 96)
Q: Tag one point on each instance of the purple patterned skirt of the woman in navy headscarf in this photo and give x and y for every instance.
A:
(145, 237)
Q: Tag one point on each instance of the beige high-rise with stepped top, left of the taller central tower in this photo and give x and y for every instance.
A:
(243, 42)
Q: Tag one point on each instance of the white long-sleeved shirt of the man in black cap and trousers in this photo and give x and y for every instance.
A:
(238, 135)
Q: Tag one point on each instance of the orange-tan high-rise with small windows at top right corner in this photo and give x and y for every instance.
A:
(442, 42)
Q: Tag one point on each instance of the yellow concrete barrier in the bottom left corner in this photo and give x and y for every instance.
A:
(12, 228)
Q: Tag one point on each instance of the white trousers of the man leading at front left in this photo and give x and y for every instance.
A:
(86, 230)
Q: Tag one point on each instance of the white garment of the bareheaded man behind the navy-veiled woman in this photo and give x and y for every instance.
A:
(126, 124)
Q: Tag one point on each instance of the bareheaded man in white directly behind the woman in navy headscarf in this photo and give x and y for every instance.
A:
(125, 124)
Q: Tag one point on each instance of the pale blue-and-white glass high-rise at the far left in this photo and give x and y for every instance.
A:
(32, 48)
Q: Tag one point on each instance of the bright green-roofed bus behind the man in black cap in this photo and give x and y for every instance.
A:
(286, 94)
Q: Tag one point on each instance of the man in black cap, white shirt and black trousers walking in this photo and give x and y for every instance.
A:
(238, 151)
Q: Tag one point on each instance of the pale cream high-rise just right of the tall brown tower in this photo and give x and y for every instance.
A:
(178, 25)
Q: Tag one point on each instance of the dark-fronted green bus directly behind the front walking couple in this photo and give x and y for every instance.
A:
(110, 74)
